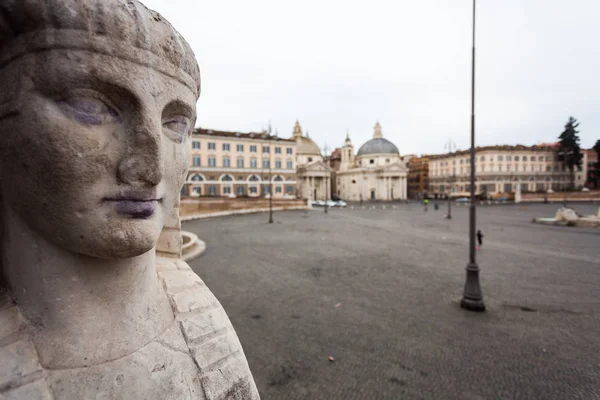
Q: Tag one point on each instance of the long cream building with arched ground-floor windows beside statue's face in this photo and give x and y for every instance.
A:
(235, 164)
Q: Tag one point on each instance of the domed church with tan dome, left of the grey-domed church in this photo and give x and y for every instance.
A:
(314, 175)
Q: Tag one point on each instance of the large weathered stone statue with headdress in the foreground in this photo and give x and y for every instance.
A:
(97, 102)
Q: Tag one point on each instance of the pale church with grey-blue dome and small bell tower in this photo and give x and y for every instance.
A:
(376, 172)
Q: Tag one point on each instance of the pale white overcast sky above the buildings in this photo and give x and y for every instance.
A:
(338, 65)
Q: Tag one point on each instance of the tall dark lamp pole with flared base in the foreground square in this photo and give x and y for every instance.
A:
(472, 299)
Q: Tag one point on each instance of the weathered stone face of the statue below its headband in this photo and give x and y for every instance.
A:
(95, 152)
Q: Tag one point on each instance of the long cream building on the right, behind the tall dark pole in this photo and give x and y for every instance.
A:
(501, 170)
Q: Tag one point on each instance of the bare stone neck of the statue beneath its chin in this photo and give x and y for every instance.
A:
(81, 310)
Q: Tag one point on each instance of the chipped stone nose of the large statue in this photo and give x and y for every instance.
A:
(143, 162)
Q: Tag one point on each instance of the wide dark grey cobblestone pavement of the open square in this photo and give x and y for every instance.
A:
(379, 291)
